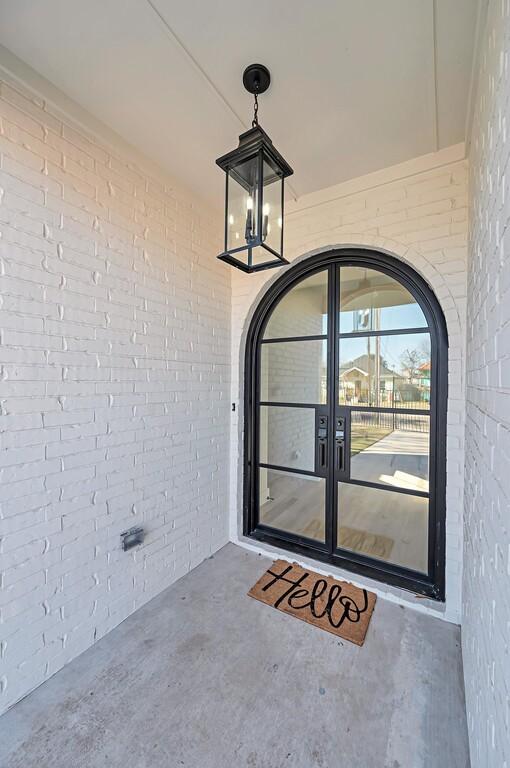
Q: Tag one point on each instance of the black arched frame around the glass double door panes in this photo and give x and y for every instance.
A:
(432, 584)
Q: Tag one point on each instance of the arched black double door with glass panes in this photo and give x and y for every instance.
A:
(345, 418)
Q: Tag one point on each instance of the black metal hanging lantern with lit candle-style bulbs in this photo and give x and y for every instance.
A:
(254, 193)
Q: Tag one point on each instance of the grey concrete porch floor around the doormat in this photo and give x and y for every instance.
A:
(205, 677)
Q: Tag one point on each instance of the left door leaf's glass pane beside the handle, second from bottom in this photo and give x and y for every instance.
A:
(287, 437)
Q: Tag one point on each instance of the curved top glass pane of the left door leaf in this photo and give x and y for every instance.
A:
(302, 311)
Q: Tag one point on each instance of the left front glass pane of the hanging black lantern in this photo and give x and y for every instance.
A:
(243, 203)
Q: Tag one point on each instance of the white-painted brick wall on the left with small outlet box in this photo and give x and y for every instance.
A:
(114, 387)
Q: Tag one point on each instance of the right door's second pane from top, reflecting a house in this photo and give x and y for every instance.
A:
(385, 371)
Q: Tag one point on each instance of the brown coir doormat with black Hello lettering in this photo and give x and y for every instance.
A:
(335, 606)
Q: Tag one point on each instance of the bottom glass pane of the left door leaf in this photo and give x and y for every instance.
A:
(292, 503)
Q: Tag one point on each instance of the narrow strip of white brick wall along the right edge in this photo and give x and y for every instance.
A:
(486, 602)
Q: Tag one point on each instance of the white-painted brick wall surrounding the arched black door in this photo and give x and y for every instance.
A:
(418, 212)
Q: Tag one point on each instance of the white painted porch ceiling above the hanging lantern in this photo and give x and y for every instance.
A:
(358, 85)
